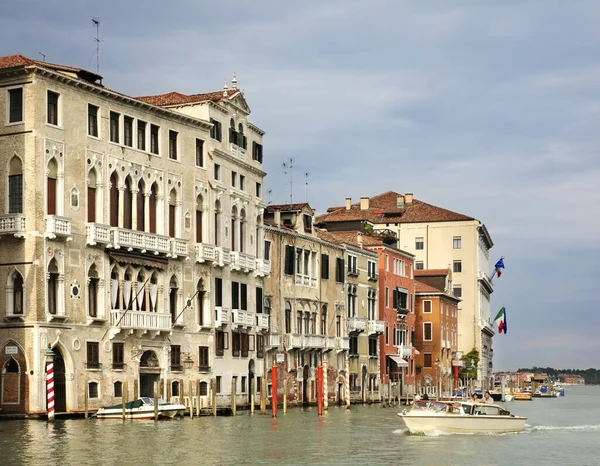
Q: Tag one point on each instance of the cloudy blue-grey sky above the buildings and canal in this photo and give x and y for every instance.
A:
(487, 108)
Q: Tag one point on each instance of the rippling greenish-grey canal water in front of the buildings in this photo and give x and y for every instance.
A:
(562, 431)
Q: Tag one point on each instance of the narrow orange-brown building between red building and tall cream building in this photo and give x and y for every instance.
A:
(436, 334)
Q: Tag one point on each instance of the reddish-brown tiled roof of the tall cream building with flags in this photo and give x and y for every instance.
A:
(383, 209)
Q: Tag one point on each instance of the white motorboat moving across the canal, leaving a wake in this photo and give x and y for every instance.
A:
(460, 418)
